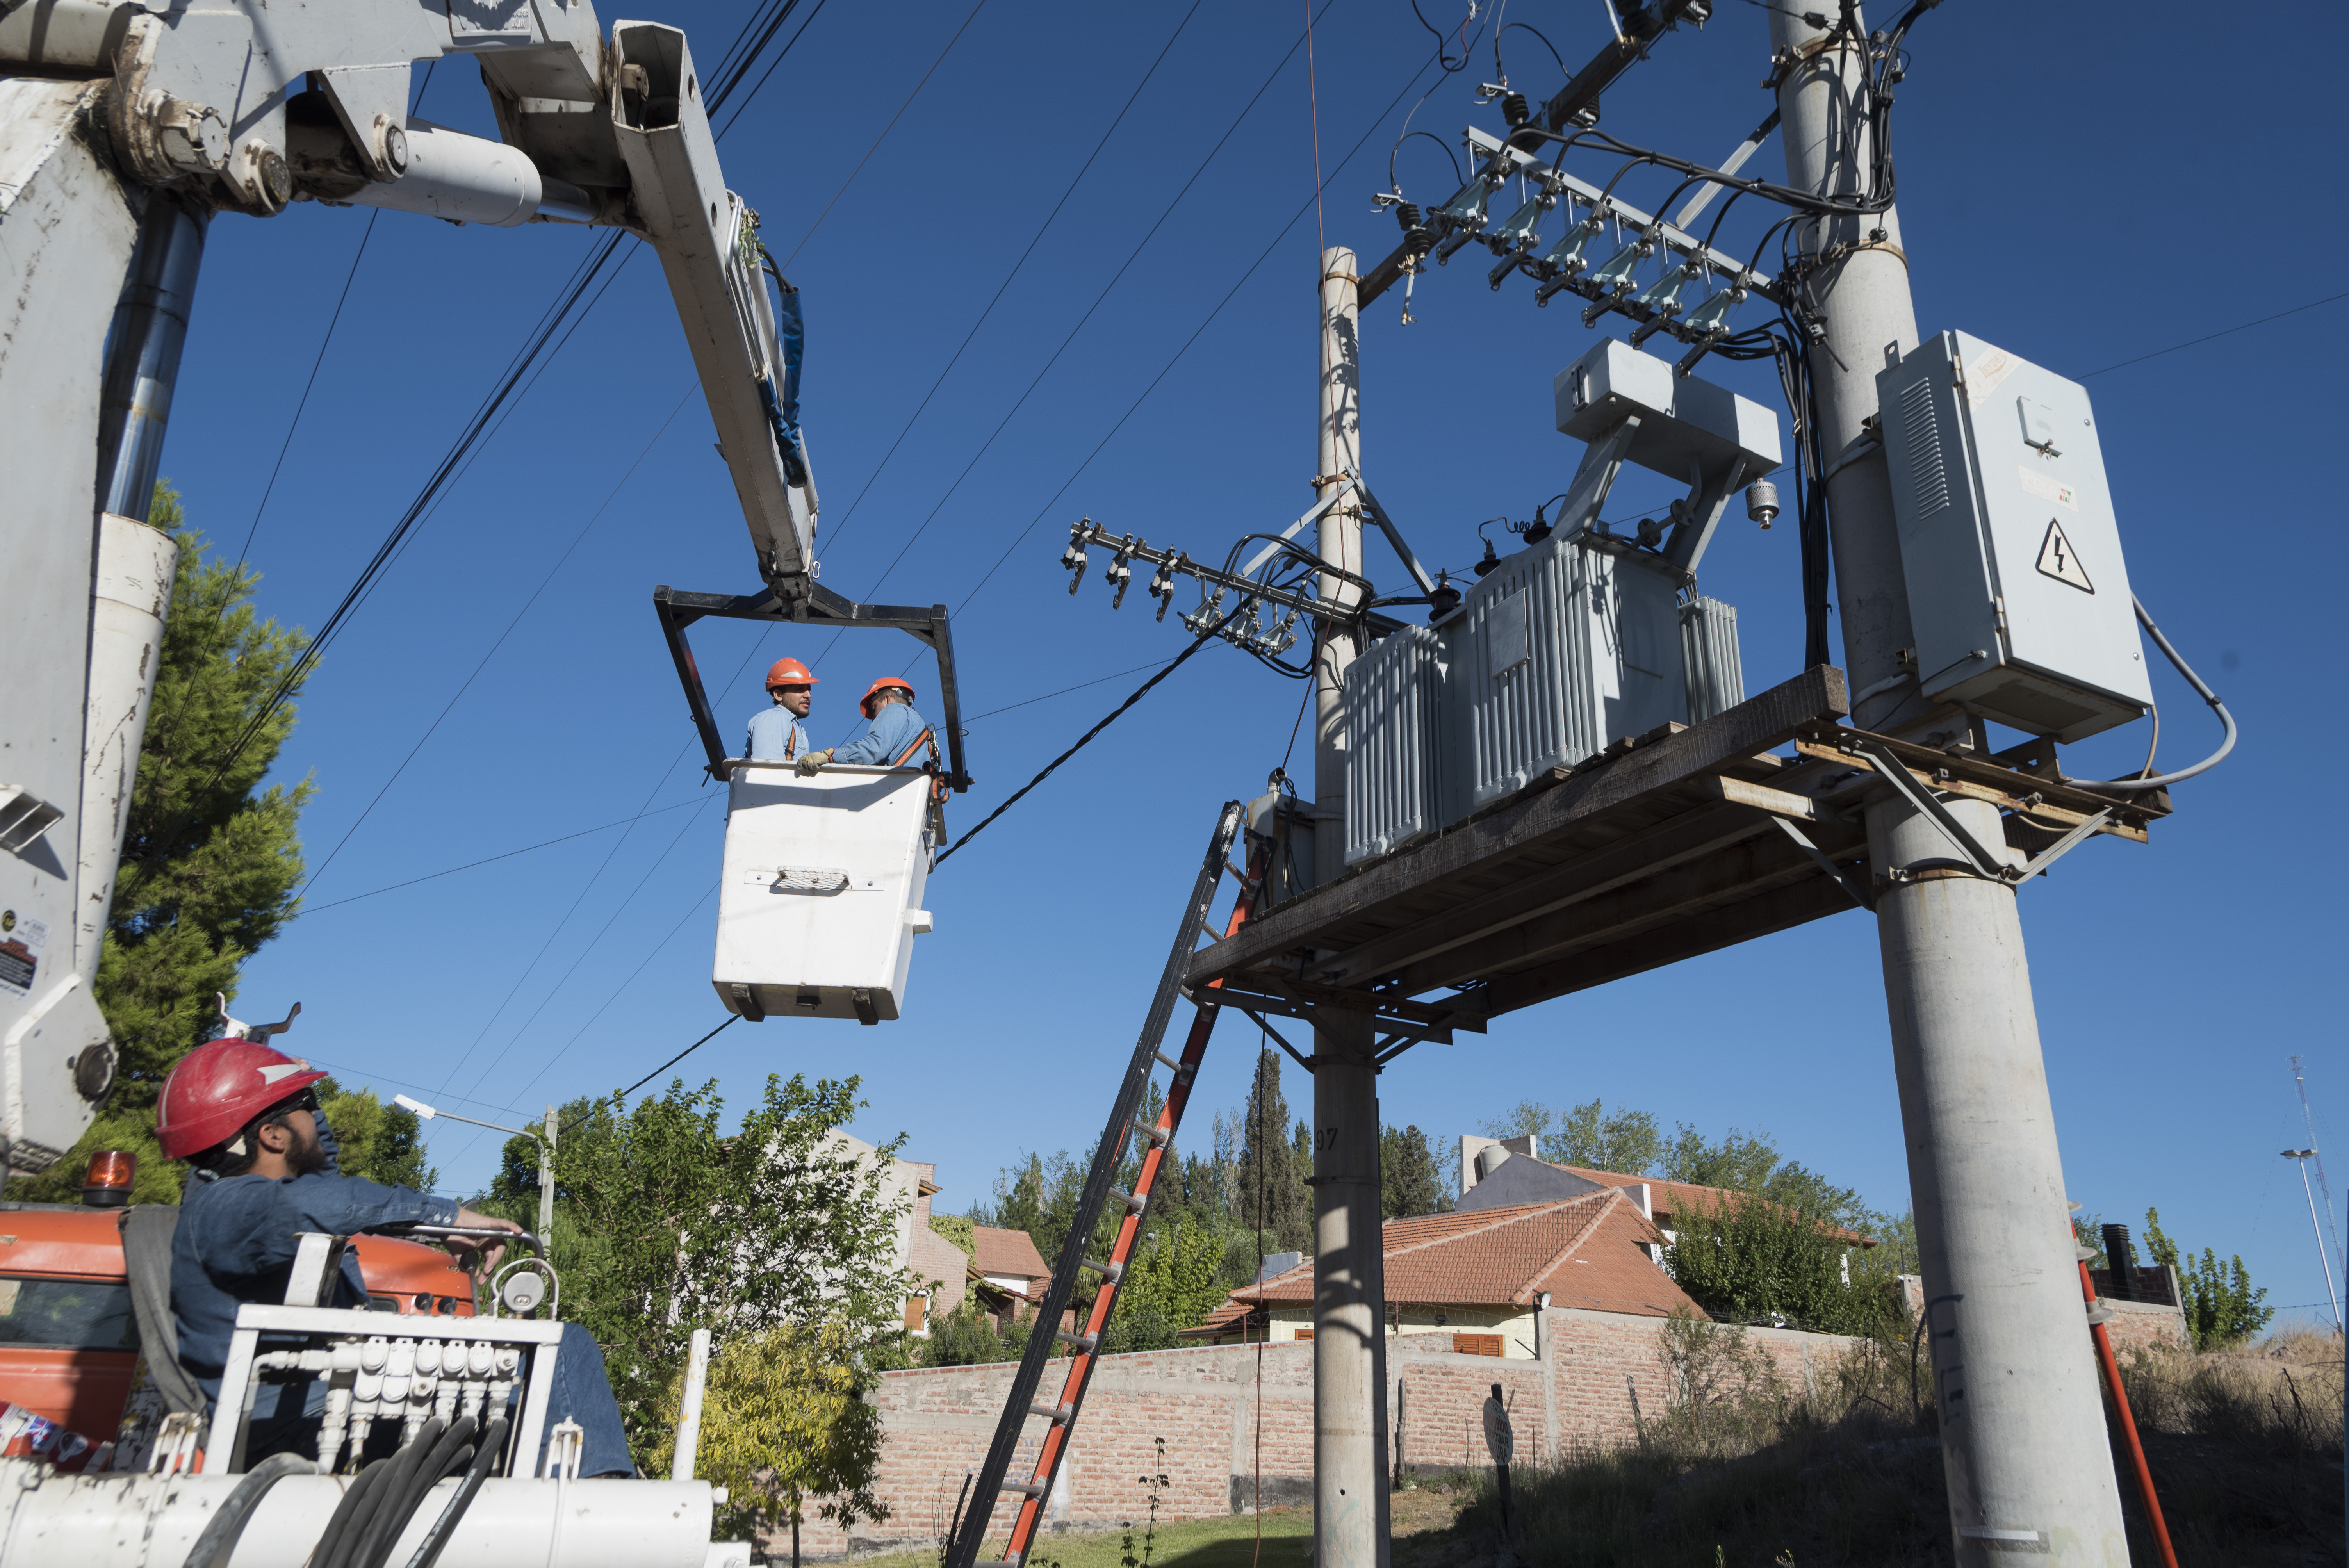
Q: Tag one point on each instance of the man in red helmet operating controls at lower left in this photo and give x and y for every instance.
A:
(250, 1123)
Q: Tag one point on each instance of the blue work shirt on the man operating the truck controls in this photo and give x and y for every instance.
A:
(238, 1238)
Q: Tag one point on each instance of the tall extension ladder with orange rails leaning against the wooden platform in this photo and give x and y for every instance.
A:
(1023, 1403)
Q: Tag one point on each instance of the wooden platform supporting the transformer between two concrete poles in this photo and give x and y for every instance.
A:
(1664, 849)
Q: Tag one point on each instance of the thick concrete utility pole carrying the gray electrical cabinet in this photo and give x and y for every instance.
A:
(2021, 1419)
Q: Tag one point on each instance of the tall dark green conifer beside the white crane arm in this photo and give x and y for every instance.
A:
(210, 860)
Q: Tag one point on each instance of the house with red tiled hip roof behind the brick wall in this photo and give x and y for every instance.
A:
(1483, 1276)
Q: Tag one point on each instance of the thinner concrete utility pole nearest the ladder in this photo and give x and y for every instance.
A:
(1350, 1273)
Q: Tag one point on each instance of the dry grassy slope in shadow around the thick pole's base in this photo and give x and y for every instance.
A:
(2244, 1447)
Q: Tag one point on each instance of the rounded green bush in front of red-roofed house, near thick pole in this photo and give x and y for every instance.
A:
(1749, 1259)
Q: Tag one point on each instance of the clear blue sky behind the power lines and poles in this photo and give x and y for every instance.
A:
(2059, 198)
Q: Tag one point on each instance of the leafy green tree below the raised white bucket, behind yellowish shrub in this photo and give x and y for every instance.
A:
(671, 1224)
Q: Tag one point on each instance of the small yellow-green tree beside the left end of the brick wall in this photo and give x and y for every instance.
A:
(786, 1421)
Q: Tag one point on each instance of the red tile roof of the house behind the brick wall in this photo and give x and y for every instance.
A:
(1584, 1250)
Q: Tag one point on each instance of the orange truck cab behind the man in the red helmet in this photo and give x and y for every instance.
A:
(69, 1339)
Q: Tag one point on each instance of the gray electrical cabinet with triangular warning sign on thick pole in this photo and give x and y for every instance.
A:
(2010, 546)
